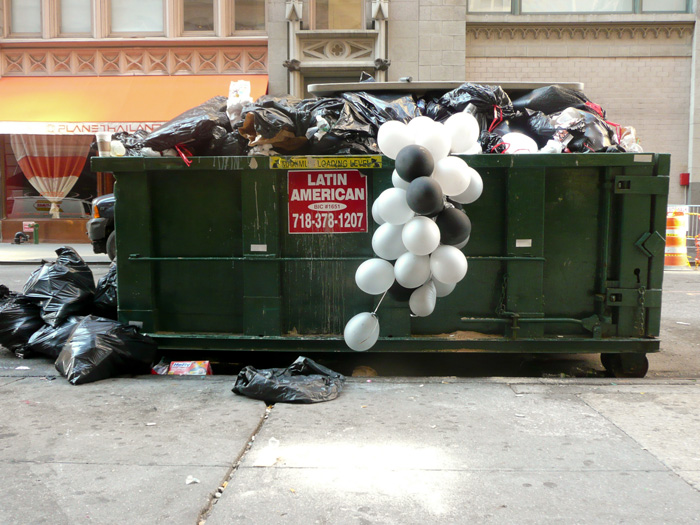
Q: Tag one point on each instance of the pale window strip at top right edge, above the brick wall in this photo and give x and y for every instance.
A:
(576, 6)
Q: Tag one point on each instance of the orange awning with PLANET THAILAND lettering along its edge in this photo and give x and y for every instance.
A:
(86, 105)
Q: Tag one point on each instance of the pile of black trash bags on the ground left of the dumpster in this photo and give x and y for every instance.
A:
(61, 314)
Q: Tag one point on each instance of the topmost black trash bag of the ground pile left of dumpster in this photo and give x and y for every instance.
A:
(62, 288)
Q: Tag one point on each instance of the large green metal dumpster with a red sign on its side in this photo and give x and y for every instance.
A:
(566, 255)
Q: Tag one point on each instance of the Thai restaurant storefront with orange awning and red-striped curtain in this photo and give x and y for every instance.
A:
(48, 126)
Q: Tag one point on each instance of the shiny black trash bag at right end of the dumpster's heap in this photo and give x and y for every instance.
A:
(590, 132)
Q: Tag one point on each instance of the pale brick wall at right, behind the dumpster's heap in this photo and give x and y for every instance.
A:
(649, 90)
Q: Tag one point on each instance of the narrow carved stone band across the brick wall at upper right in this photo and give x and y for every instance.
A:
(583, 31)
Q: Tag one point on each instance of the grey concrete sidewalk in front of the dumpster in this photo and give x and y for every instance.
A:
(386, 451)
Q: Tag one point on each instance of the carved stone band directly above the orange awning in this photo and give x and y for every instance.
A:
(147, 61)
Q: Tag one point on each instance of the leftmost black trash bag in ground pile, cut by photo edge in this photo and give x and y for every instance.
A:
(20, 317)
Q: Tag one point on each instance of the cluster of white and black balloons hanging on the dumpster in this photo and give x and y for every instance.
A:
(422, 226)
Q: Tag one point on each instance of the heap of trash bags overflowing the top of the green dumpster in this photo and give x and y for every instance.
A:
(556, 118)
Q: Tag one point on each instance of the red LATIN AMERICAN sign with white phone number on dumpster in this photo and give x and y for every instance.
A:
(332, 201)
